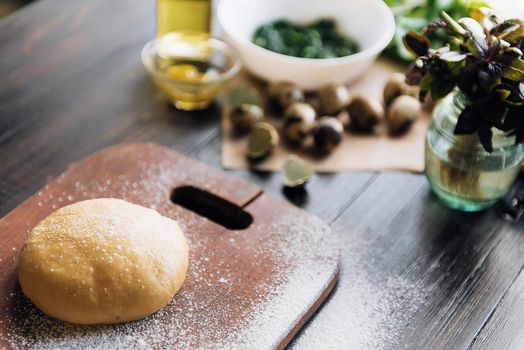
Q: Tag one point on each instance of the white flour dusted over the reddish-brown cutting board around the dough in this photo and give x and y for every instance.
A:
(211, 311)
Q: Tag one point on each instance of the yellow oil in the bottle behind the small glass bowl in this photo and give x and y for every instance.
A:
(176, 15)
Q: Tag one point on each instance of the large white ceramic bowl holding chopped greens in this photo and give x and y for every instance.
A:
(369, 22)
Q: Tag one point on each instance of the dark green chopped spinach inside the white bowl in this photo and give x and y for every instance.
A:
(320, 39)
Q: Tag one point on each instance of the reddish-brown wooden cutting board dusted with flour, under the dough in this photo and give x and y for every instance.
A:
(250, 287)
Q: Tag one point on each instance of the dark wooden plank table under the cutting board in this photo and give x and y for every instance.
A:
(415, 274)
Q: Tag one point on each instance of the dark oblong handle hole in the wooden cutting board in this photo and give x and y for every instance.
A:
(214, 208)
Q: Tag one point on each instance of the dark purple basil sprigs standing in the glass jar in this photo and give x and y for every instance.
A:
(483, 59)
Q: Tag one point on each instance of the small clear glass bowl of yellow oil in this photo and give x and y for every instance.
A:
(191, 68)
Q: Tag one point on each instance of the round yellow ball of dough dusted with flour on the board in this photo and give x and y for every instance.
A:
(103, 261)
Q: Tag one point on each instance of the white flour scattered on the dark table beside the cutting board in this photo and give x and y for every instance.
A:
(370, 307)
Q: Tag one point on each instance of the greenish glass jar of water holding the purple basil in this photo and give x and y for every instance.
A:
(461, 173)
